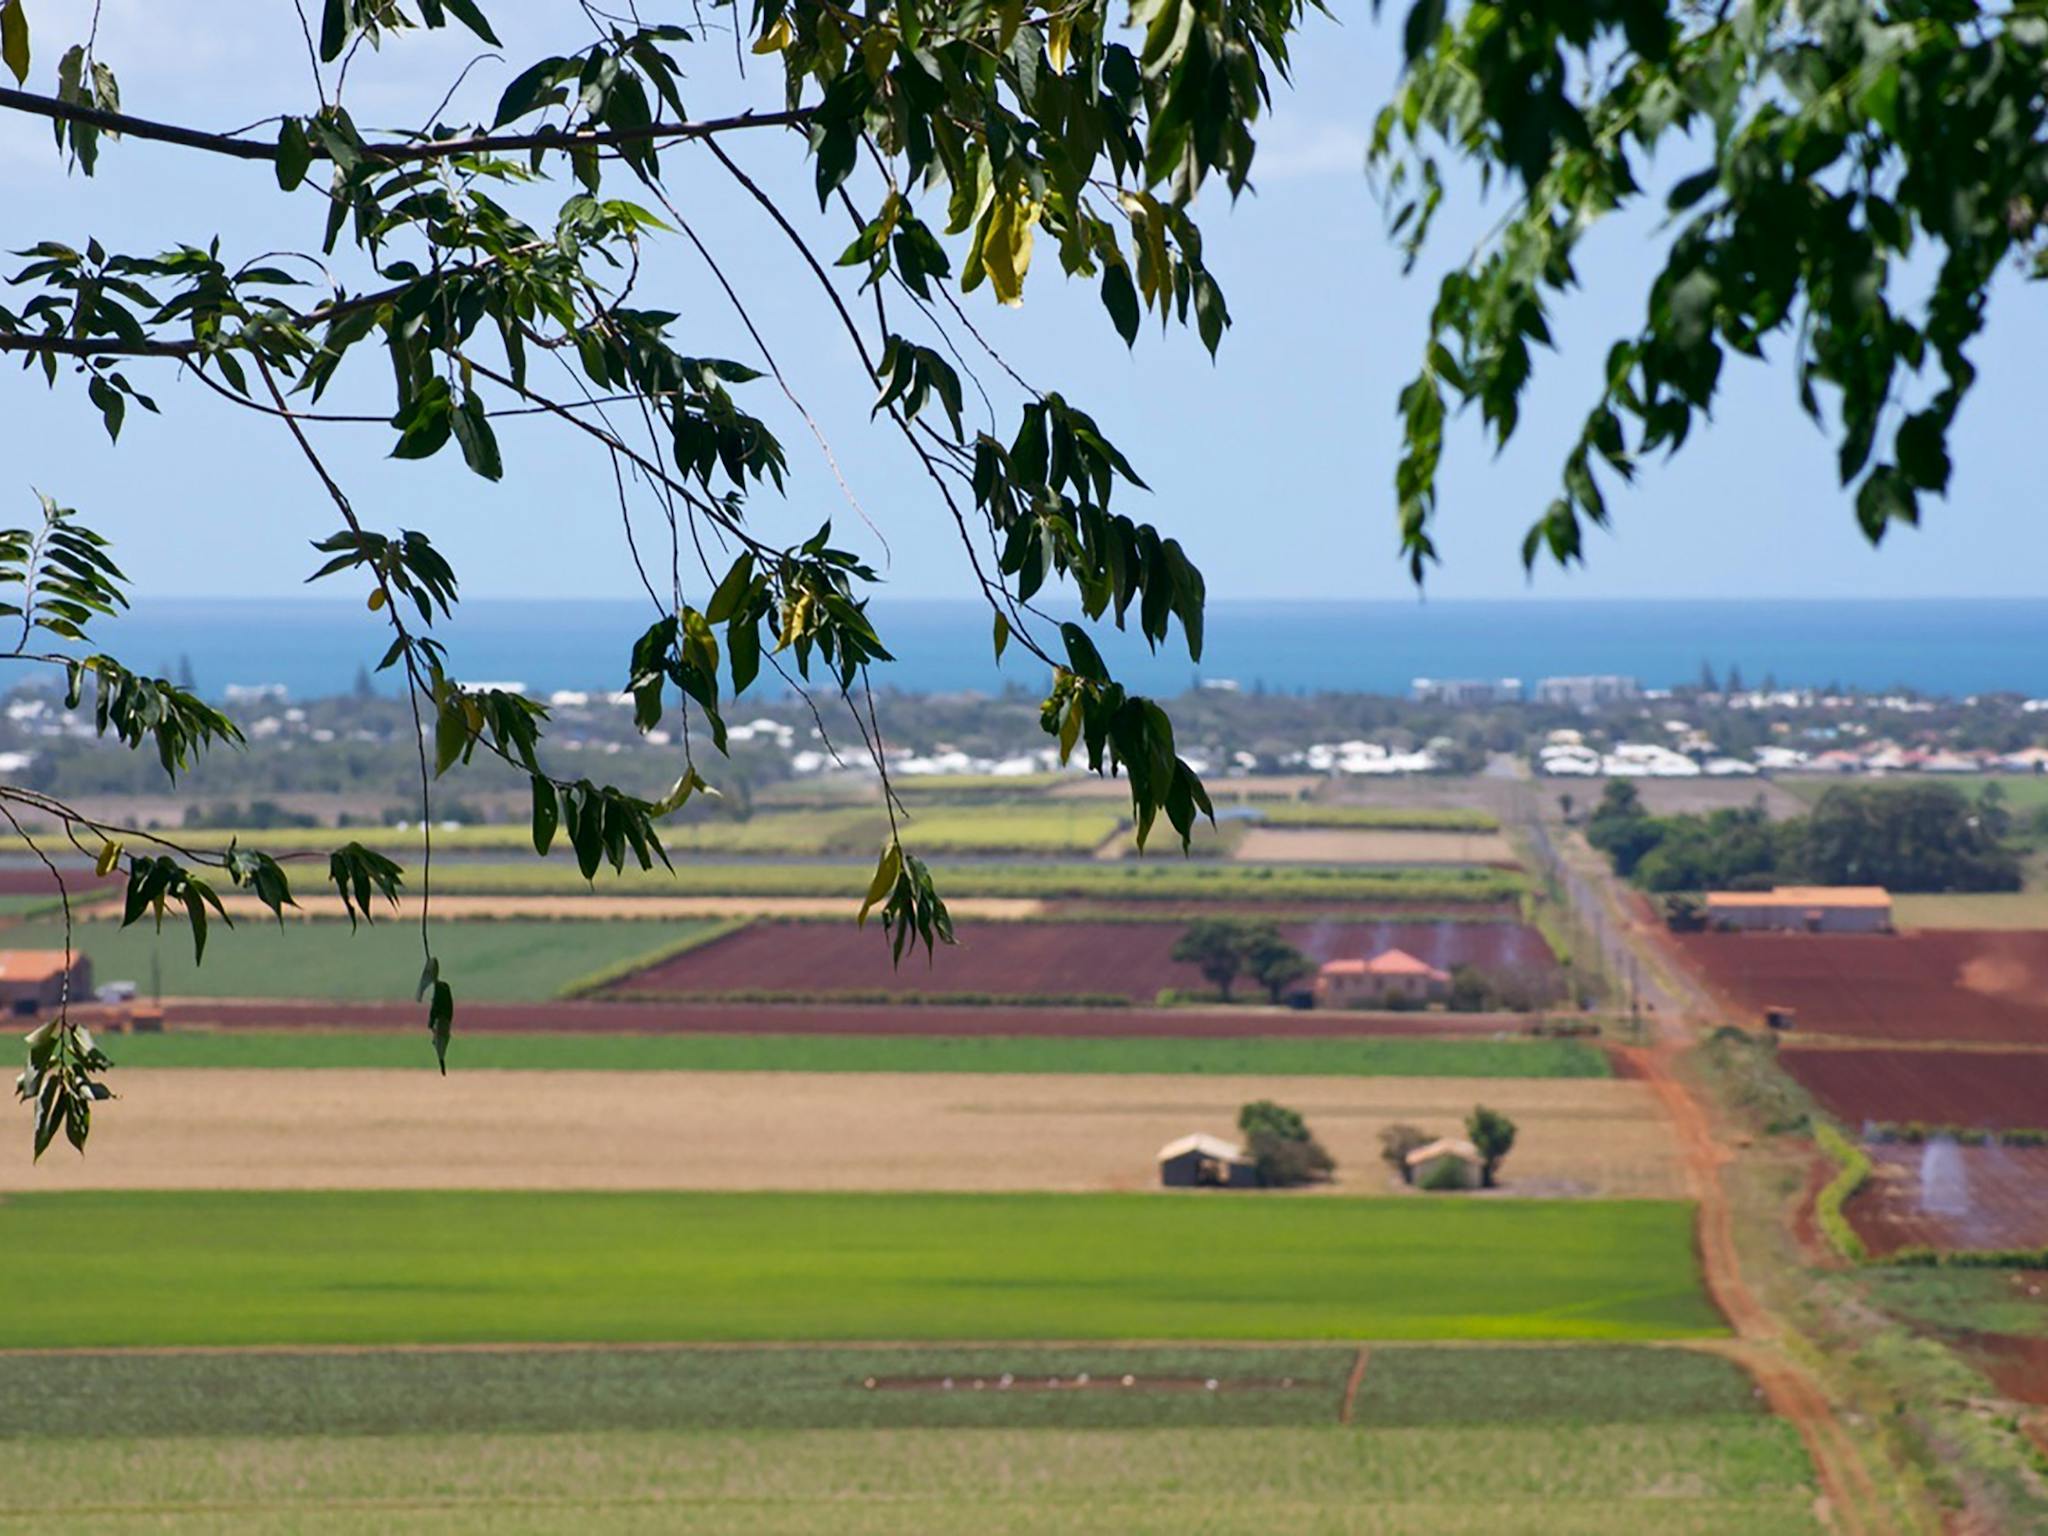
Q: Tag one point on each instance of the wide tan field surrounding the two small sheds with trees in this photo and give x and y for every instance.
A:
(200, 1129)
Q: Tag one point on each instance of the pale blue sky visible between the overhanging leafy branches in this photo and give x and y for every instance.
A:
(1273, 466)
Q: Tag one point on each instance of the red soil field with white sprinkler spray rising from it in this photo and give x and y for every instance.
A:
(1953, 1199)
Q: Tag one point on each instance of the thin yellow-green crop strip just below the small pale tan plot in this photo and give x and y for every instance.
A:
(1152, 880)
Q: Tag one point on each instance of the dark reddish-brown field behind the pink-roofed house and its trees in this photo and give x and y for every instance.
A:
(1048, 959)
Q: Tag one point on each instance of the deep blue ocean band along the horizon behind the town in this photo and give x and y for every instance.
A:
(1930, 646)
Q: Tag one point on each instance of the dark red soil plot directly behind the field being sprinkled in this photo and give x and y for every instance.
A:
(1990, 1091)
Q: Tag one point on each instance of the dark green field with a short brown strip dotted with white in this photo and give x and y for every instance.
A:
(1009, 1388)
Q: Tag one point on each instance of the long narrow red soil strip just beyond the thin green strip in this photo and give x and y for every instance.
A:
(833, 1019)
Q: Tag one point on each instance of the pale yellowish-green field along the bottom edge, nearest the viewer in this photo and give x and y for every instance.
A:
(1703, 1478)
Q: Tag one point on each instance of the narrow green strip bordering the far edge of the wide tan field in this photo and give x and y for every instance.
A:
(994, 1054)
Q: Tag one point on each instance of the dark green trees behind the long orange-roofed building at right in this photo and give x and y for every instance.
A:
(1906, 839)
